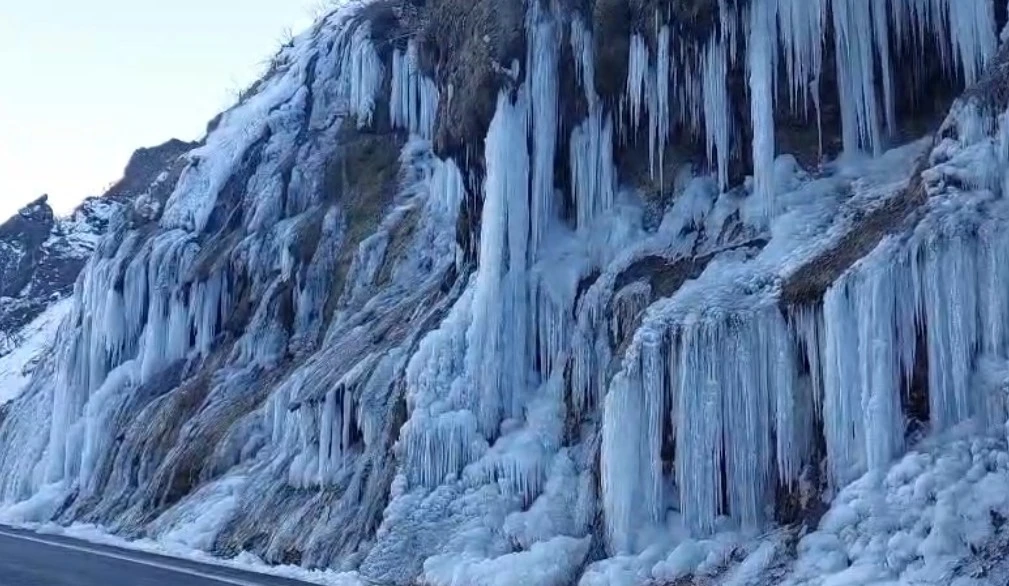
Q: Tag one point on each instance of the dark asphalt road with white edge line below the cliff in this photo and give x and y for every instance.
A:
(29, 559)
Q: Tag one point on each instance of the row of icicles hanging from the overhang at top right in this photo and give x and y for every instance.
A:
(676, 84)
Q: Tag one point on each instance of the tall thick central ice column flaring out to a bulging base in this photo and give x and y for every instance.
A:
(478, 370)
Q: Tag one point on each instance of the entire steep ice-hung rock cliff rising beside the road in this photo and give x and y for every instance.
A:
(555, 293)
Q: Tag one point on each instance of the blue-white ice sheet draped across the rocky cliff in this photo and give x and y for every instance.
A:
(505, 377)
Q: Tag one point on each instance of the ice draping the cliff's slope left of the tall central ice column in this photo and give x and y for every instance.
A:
(153, 303)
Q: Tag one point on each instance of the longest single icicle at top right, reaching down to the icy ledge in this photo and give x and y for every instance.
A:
(763, 65)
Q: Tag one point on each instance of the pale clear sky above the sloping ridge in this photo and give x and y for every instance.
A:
(84, 83)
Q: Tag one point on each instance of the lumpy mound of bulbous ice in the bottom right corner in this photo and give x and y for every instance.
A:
(931, 519)
